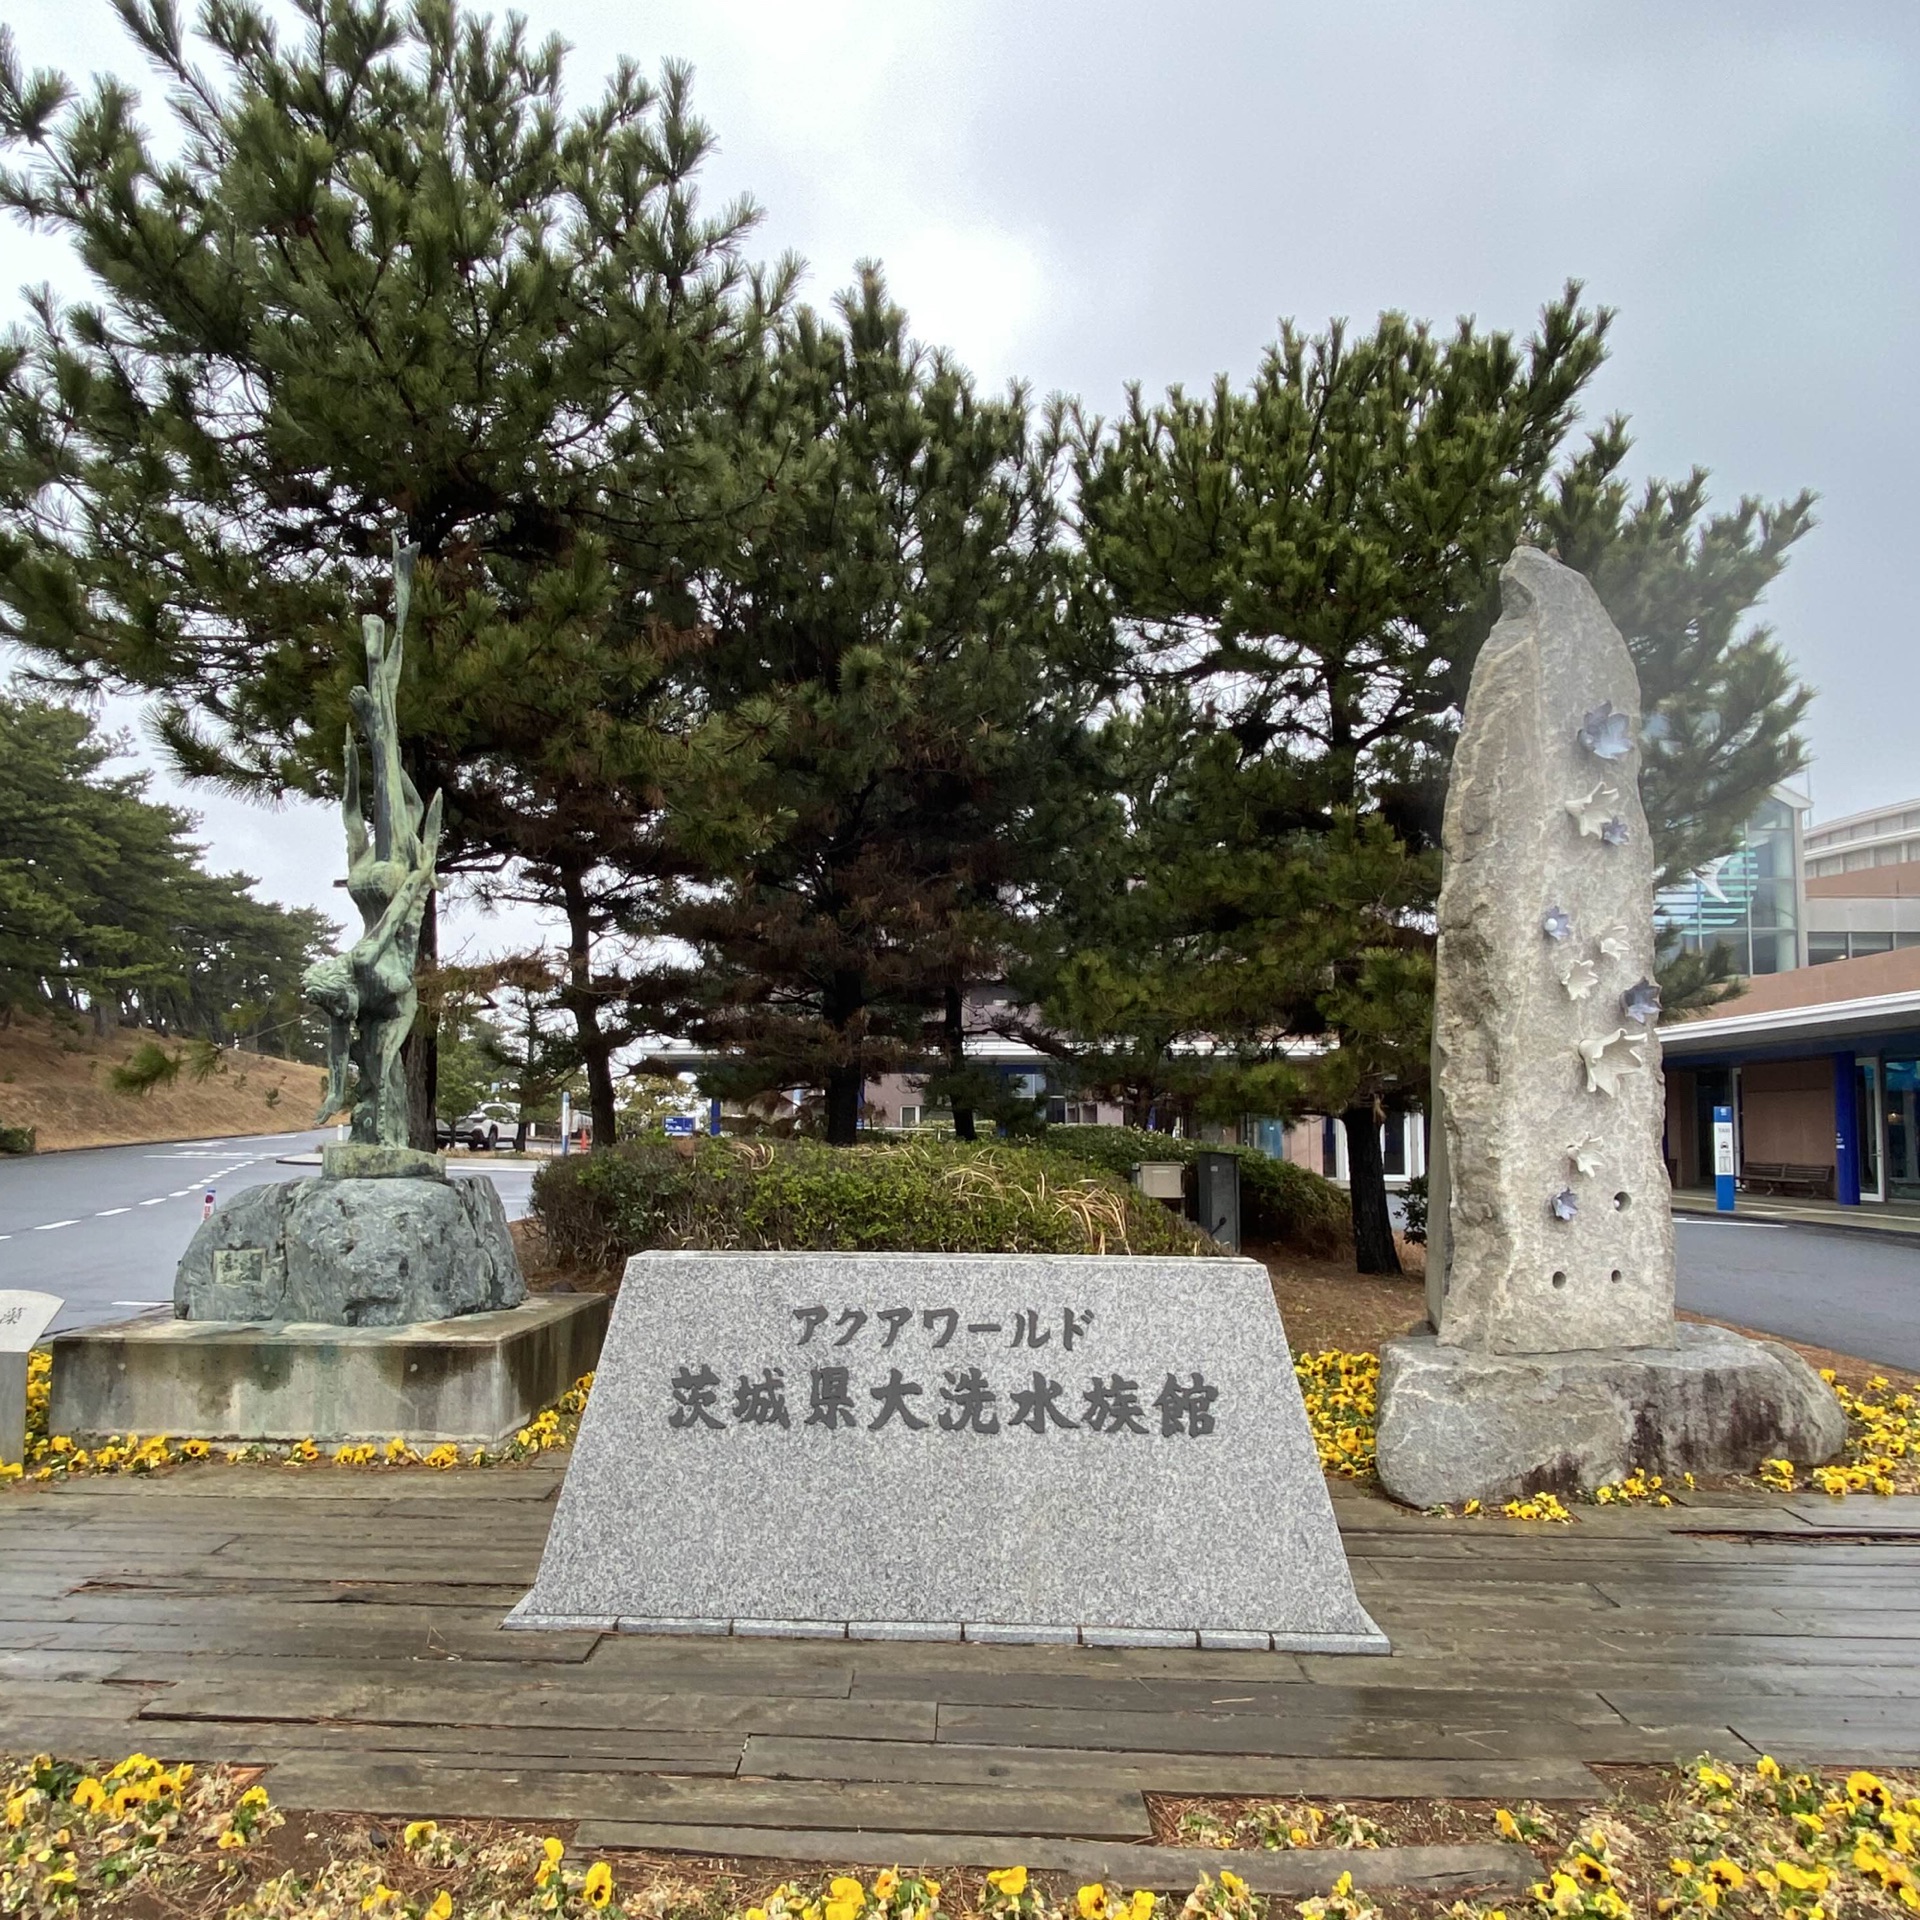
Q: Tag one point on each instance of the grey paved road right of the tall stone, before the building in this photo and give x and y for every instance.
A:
(1852, 1293)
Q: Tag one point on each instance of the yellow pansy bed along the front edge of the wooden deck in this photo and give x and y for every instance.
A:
(145, 1838)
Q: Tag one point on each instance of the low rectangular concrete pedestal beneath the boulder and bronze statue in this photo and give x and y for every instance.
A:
(473, 1380)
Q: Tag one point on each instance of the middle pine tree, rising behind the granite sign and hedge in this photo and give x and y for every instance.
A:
(898, 652)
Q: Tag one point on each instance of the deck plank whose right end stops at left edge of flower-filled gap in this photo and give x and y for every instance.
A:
(414, 1790)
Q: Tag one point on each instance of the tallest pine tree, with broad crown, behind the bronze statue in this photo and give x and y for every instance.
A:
(391, 285)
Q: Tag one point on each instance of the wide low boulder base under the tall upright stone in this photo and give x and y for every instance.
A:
(1468, 1426)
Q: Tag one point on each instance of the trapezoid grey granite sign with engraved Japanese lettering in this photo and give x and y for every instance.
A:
(940, 1447)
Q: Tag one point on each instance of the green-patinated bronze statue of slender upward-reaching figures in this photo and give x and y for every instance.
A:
(368, 994)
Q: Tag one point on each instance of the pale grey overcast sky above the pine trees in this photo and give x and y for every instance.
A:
(1080, 195)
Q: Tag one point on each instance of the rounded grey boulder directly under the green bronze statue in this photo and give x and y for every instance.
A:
(352, 1253)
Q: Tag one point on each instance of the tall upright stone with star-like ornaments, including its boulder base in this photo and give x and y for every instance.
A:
(1556, 1360)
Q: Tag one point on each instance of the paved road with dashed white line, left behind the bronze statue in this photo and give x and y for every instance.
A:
(107, 1228)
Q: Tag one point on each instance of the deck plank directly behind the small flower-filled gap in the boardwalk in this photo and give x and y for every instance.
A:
(780, 1758)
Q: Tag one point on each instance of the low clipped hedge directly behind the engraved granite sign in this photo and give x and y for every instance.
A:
(930, 1197)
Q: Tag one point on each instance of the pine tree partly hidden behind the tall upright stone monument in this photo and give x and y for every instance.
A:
(1316, 560)
